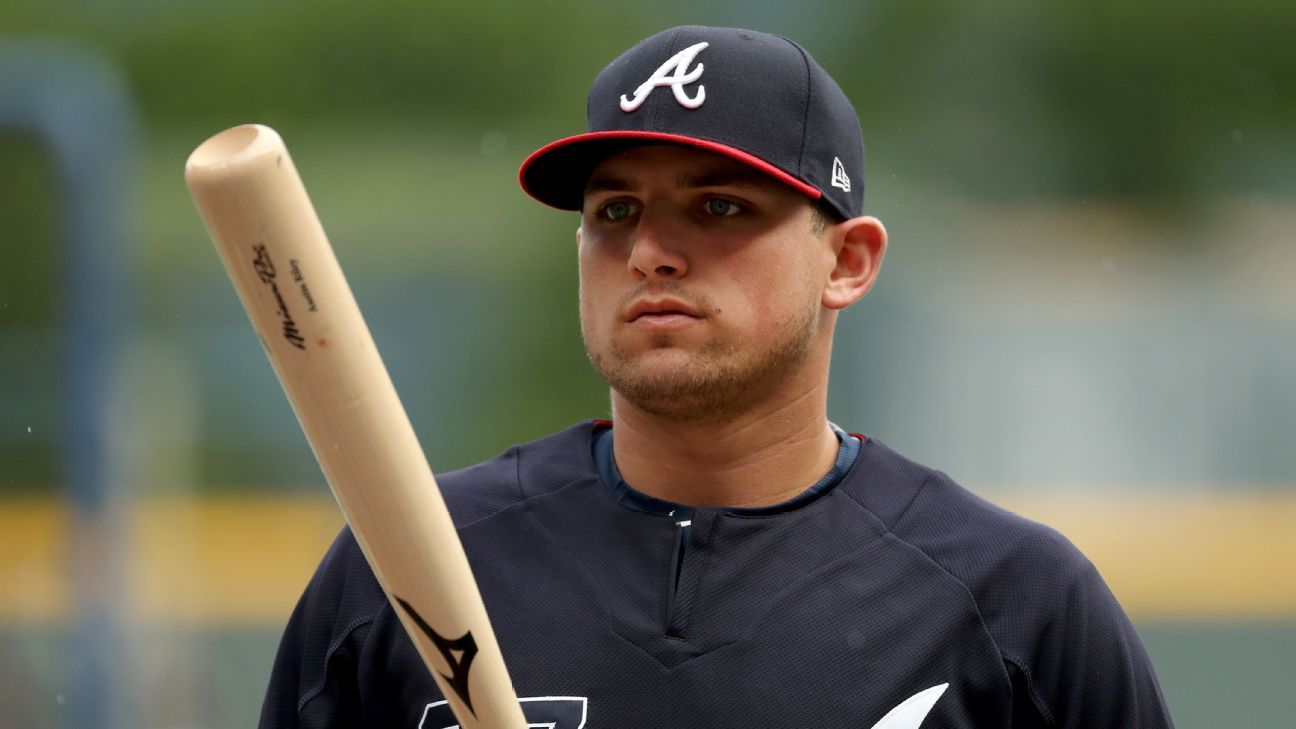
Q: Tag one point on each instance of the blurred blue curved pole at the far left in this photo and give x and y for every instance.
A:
(75, 101)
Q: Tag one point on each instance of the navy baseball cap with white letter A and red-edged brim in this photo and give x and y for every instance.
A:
(752, 97)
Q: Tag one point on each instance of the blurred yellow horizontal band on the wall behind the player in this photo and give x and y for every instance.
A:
(243, 561)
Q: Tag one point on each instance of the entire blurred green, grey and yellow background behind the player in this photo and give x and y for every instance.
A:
(1087, 315)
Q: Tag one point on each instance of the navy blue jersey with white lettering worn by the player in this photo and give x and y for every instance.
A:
(895, 588)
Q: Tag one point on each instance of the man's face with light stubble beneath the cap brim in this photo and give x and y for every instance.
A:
(700, 282)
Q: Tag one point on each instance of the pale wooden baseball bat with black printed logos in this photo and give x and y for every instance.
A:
(288, 280)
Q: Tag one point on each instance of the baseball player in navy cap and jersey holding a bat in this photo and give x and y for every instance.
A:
(719, 555)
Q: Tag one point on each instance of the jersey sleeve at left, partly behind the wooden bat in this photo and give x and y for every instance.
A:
(314, 683)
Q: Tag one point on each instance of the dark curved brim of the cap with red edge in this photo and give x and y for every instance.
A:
(557, 173)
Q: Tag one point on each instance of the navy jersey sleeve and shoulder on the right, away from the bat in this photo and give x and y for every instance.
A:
(1069, 648)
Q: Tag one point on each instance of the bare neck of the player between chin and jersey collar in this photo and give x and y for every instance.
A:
(763, 457)
